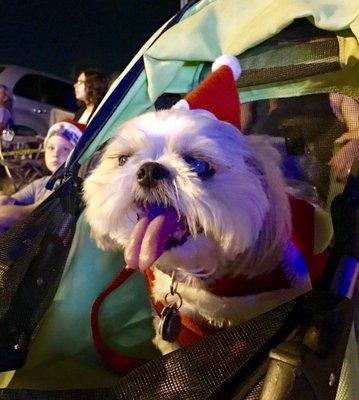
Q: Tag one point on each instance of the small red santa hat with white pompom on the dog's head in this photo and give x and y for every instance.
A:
(217, 93)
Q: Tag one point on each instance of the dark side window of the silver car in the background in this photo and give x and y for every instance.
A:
(47, 91)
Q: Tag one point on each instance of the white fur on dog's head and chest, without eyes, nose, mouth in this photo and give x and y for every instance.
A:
(243, 208)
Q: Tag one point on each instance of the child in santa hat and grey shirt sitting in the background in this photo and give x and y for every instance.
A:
(60, 140)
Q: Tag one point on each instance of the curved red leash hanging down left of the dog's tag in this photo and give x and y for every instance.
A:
(122, 364)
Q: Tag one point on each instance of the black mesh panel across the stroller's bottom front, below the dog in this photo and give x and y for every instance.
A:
(196, 372)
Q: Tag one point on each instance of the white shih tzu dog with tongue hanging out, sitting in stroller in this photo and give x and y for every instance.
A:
(204, 211)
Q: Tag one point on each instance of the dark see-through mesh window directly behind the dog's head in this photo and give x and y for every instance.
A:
(305, 129)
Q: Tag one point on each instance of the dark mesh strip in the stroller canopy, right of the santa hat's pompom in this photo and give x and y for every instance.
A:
(299, 51)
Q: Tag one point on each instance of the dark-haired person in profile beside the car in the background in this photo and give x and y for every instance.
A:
(90, 88)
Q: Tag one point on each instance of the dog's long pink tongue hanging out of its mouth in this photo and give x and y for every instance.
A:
(149, 237)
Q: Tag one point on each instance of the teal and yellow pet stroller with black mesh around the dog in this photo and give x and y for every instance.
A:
(290, 68)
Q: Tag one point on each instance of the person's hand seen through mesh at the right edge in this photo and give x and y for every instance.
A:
(343, 159)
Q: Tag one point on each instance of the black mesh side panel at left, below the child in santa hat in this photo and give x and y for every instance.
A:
(32, 256)
